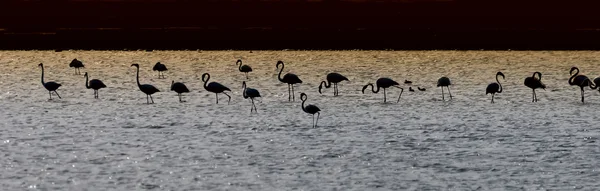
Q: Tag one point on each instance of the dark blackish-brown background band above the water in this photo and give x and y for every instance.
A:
(299, 24)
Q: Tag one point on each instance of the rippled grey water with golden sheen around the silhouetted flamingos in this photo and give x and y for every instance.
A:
(422, 143)
